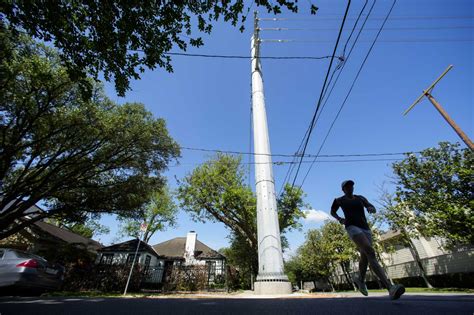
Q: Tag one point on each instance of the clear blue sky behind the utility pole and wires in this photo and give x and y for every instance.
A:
(206, 102)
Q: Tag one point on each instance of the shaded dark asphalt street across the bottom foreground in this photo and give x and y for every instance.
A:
(409, 304)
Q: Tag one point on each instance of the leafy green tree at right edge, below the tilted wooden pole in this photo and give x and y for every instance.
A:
(434, 194)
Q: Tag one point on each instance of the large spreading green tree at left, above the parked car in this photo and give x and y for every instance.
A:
(80, 157)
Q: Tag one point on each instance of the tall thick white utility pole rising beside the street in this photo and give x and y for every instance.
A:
(271, 278)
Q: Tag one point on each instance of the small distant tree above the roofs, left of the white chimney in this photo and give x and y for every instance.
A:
(158, 213)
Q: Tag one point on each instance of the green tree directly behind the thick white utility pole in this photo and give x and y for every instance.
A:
(216, 191)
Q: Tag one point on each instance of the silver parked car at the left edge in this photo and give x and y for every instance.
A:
(19, 269)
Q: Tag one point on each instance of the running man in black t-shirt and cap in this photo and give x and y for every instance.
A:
(359, 232)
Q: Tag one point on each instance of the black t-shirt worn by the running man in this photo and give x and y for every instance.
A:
(353, 210)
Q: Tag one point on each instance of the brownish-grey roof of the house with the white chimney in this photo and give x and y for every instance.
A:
(175, 248)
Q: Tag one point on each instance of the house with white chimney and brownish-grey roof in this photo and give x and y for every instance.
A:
(189, 251)
